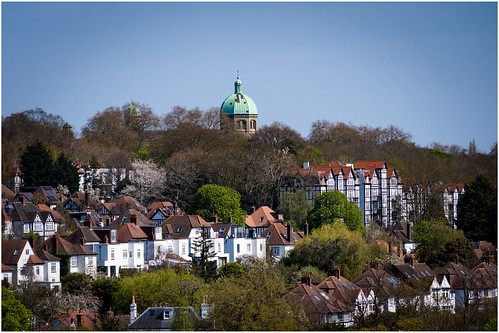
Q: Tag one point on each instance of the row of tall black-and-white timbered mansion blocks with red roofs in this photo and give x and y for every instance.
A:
(373, 185)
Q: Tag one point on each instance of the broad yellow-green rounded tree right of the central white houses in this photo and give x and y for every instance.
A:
(329, 247)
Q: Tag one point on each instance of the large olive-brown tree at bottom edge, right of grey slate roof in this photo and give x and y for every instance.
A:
(253, 302)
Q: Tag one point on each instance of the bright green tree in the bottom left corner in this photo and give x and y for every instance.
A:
(15, 316)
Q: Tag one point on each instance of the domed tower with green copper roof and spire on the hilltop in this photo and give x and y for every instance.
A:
(239, 110)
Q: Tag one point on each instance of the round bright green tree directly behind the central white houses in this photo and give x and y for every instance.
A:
(223, 201)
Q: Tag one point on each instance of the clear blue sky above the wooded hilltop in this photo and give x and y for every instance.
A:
(428, 68)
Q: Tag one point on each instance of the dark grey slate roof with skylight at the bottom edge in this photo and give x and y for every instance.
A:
(153, 318)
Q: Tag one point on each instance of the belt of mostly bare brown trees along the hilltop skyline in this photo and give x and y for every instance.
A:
(191, 148)
